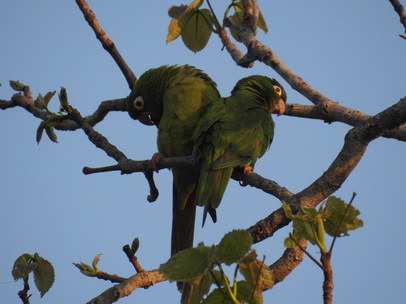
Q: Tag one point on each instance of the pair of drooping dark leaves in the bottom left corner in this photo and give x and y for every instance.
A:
(42, 269)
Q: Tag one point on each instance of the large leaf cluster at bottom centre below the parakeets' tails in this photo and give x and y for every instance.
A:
(197, 266)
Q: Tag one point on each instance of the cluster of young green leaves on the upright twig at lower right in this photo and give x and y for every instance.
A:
(334, 217)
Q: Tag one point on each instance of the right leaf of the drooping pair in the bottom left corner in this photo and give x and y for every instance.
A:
(44, 274)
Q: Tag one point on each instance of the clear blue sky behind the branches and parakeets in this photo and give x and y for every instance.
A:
(348, 50)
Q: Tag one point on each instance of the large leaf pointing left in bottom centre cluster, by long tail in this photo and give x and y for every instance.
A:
(188, 265)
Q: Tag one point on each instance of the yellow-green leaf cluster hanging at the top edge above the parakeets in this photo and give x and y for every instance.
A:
(195, 24)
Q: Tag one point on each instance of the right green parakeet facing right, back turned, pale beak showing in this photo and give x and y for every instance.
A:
(235, 132)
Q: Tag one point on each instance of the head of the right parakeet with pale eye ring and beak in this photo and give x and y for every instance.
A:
(266, 89)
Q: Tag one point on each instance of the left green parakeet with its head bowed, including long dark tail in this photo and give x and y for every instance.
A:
(174, 98)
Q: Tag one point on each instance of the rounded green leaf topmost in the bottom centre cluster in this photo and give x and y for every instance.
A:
(233, 246)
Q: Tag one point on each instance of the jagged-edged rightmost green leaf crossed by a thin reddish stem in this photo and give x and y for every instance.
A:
(334, 210)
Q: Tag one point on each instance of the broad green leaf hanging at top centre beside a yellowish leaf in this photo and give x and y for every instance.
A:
(196, 28)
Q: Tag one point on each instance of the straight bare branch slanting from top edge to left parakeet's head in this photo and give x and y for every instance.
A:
(108, 45)
